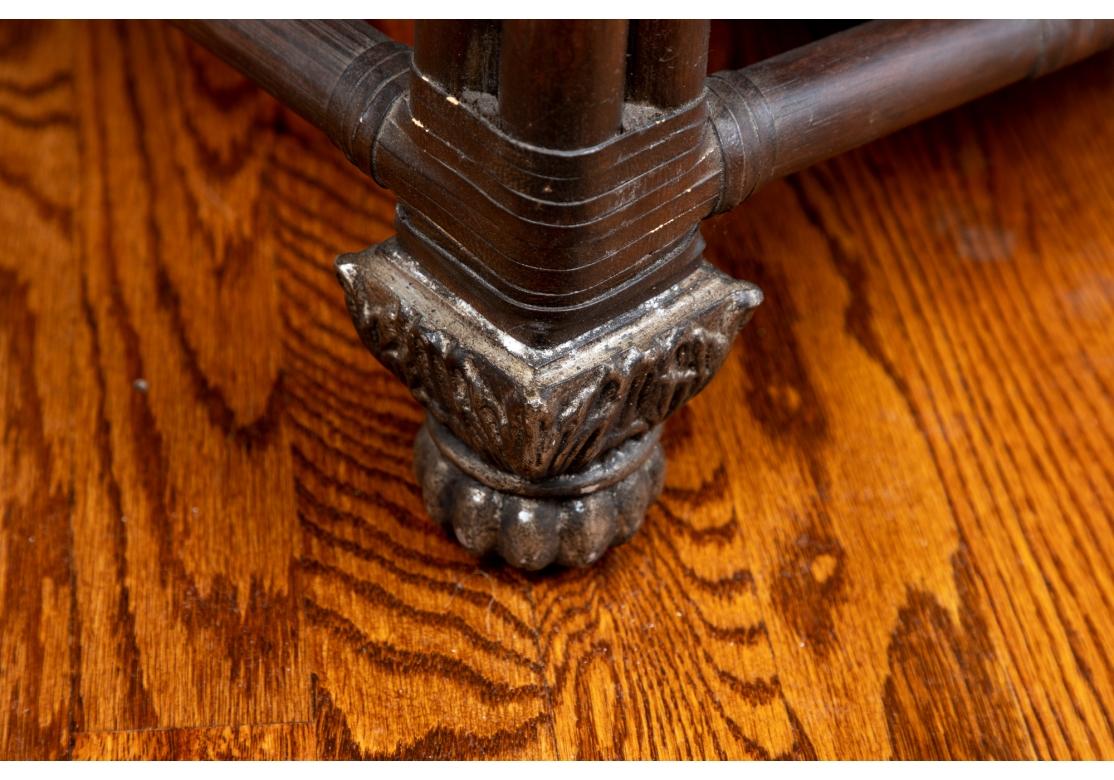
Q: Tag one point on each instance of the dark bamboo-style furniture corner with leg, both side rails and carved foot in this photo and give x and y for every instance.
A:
(545, 298)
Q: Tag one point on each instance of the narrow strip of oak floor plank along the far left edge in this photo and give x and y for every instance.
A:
(38, 309)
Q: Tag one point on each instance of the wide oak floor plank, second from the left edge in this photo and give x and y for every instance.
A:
(184, 541)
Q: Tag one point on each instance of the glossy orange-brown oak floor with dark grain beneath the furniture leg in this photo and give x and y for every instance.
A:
(887, 525)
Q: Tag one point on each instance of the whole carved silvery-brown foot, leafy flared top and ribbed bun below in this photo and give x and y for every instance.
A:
(542, 454)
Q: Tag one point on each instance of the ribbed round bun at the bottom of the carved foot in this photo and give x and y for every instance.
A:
(570, 520)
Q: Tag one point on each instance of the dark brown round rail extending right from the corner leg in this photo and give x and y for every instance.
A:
(790, 112)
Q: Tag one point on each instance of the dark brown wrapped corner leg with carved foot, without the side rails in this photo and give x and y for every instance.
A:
(545, 297)
